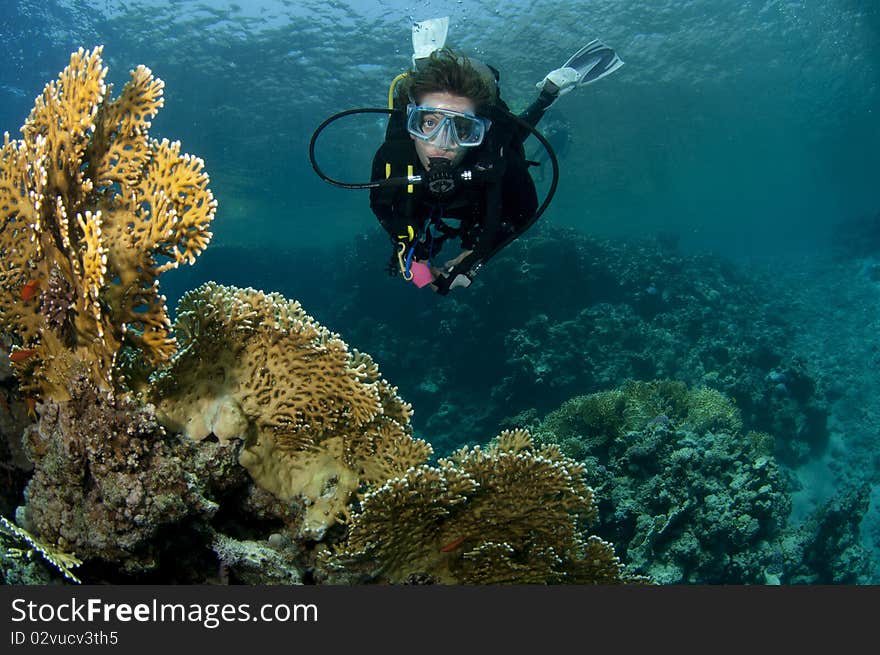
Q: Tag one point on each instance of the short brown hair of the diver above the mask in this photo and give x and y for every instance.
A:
(450, 72)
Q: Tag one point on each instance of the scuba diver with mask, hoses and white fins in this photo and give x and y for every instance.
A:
(453, 163)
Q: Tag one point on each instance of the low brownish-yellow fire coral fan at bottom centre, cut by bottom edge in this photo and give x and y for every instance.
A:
(507, 514)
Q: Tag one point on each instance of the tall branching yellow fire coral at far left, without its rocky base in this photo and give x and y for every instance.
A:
(92, 211)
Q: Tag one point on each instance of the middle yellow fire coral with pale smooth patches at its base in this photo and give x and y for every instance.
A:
(317, 419)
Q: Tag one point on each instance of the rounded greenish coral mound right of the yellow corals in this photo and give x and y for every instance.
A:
(686, 496)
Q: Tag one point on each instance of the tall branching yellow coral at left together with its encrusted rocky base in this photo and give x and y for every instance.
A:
(92, 211)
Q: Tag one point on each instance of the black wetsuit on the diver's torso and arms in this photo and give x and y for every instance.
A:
(485, 214)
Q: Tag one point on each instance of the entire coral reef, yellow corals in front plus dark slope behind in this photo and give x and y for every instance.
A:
(256, 446)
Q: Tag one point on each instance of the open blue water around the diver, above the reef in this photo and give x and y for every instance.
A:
(749, 130)
